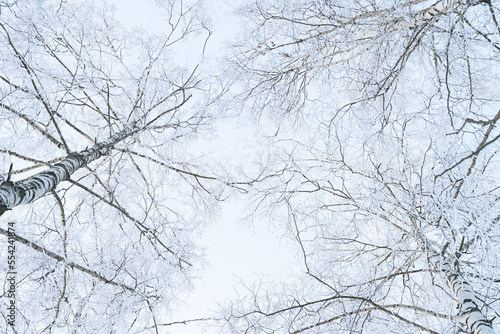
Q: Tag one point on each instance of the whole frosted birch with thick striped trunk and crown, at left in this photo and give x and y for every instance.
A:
(102, 198)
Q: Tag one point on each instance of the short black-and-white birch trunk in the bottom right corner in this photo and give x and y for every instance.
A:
(469, 312)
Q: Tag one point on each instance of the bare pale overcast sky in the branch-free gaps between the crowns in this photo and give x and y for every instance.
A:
(234, 251)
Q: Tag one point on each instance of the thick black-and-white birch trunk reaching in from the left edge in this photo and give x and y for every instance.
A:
(15, 193)
